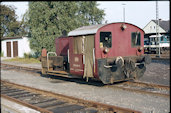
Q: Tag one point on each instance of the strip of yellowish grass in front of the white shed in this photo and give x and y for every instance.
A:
(23, 60)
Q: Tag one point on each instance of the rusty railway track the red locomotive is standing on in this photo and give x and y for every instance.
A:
(139, 87)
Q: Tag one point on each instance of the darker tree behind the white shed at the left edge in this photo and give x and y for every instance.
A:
(9, 24)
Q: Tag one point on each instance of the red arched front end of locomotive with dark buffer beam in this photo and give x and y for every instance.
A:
(122, 54)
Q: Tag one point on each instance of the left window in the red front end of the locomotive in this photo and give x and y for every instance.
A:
(105, 39)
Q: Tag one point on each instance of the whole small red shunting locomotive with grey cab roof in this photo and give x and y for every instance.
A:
(107, 52)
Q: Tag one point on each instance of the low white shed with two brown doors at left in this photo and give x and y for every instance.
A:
(15, 46)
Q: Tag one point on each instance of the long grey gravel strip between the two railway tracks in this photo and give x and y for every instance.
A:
(113, 96)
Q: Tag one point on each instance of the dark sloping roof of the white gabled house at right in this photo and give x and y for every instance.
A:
(164, 24)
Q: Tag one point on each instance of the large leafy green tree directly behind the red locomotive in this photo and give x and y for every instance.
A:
(47, 20)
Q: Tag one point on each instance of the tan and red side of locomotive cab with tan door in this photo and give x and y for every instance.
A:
(81, 55)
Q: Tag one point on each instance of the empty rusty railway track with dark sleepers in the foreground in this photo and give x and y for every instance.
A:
(49, 102)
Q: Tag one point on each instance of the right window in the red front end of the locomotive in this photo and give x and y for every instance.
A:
(135, 39)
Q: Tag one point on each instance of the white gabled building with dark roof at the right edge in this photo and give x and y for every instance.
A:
(153, 42)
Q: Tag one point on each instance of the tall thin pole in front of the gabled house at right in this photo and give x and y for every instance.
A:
(157, 25)
